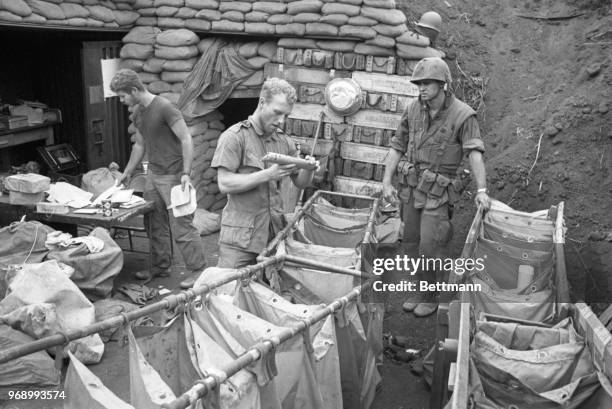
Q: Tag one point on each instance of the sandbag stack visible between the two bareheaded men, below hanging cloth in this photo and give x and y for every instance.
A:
(205, 132)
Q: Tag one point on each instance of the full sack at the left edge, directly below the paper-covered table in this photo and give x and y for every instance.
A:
(22, 242)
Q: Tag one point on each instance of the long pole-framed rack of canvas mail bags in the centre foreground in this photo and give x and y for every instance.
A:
(305, 341)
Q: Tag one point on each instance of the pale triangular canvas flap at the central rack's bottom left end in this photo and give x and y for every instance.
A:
(85, 390)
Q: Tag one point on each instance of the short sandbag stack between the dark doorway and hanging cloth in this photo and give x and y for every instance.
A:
(175, 55)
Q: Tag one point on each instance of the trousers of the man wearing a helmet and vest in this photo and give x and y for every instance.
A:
(428, 230)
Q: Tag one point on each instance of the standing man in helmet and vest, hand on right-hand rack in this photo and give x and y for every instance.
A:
(435, 132)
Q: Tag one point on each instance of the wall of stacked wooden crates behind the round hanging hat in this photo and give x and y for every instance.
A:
(354, 147)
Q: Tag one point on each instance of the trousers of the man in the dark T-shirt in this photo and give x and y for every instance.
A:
(162, 222)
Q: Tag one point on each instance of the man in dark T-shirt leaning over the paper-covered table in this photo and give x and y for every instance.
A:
(164, 136)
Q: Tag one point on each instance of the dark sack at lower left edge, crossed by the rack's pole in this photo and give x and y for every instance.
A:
(33, 370)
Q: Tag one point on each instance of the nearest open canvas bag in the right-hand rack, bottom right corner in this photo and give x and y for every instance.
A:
(520, 366)
